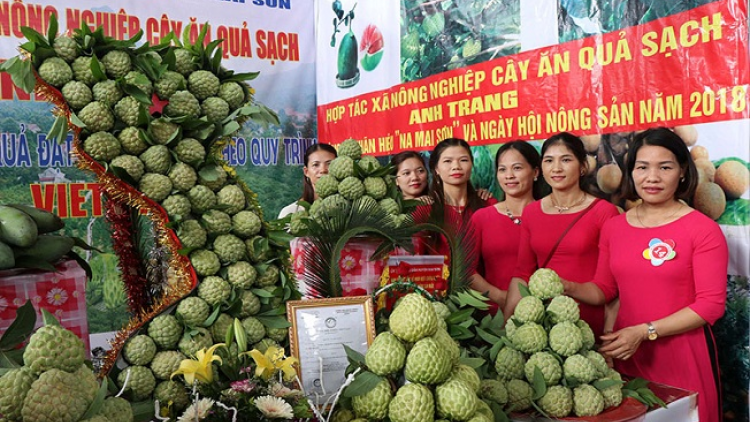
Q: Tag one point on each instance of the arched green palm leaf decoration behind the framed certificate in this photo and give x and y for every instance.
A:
(329, 235)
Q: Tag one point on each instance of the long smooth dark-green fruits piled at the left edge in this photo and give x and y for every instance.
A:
(27, 238)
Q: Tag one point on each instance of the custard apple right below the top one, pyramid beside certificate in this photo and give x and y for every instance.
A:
(427, 362)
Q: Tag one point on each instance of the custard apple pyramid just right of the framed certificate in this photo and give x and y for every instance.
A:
(418, 348)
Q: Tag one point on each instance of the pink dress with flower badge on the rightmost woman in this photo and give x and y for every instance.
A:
(656, 272)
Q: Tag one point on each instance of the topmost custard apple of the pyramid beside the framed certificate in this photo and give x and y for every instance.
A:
(413, 319)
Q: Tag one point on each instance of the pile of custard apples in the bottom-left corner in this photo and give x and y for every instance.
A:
(54, 384)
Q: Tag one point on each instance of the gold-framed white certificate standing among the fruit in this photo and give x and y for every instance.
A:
(320, 329)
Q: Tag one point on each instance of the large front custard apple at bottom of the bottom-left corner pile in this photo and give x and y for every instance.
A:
(54, 397)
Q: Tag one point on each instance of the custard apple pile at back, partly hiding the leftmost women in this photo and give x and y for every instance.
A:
(352, 177)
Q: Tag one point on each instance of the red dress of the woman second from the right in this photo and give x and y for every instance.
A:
(576, 255)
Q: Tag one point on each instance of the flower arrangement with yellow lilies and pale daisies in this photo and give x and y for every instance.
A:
(241, 386)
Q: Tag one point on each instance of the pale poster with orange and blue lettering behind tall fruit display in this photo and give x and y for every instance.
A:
(275, 38)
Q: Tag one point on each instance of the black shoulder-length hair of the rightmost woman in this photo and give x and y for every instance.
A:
(665, 138)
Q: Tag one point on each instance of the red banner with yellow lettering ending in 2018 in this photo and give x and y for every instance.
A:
(691, 67)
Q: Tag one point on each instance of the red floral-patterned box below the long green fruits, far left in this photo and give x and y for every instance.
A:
(61, 293)
